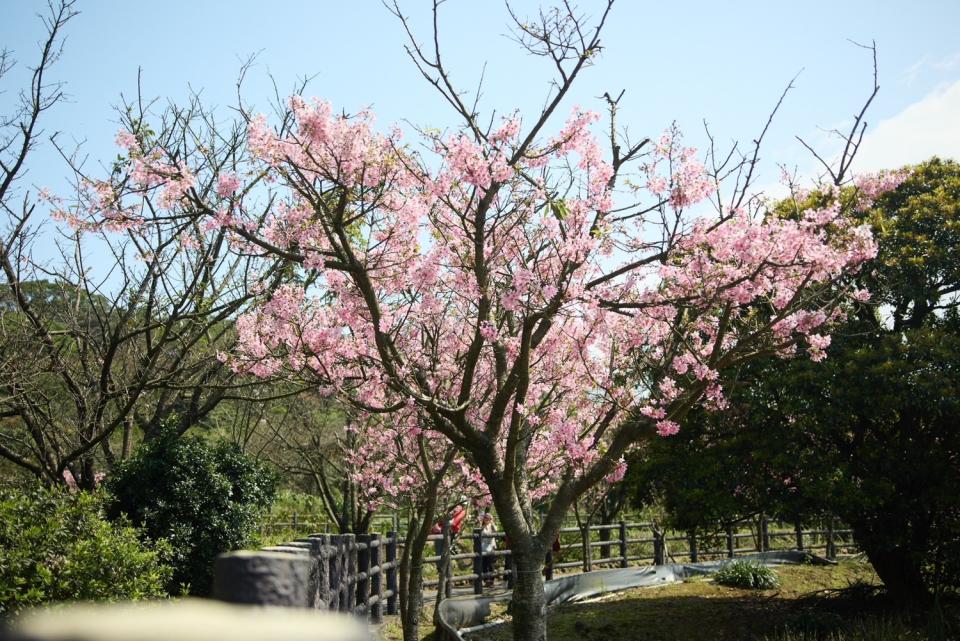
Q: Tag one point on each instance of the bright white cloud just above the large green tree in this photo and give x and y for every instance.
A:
(928, 127)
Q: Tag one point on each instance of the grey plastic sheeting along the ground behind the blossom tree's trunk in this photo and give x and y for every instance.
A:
(461, 615)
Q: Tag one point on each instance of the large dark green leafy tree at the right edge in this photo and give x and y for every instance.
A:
(871, 434)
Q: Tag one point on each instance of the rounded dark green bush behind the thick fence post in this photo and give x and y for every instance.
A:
(204, 500)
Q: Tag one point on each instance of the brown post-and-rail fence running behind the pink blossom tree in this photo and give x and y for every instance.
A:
(358, 574)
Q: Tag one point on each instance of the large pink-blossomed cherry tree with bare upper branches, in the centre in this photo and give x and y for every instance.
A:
(509, 294)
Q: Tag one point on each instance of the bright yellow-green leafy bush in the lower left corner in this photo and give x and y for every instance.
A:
(58, 546)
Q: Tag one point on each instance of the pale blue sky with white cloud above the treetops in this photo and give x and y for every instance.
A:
(683, 60)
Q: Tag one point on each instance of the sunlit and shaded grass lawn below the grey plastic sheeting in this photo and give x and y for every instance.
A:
(807, 604)
